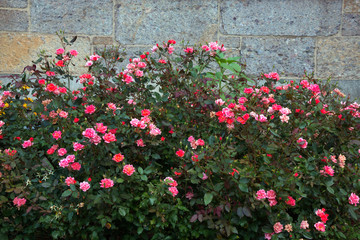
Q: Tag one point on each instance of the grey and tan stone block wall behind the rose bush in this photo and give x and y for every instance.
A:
(289, 37)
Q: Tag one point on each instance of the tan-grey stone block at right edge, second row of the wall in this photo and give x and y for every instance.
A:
(339, 57)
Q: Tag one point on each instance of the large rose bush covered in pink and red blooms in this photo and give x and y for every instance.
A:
(181, 144)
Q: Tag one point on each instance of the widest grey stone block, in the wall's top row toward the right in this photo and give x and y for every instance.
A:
(298, 18)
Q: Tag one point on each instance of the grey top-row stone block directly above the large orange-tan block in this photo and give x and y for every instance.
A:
(81, 16)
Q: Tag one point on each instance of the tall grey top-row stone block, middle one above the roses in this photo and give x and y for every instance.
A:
(154, 21)
